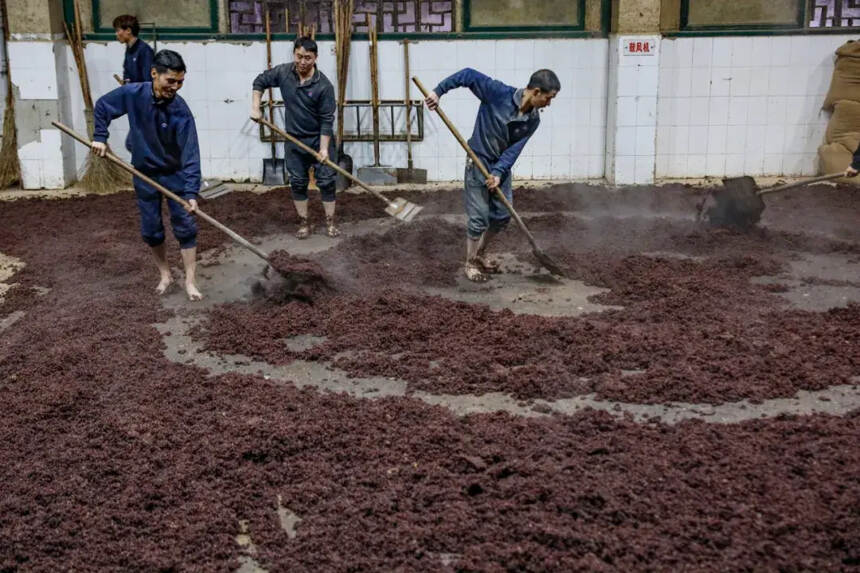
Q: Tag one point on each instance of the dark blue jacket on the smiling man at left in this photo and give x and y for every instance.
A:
(163, 134)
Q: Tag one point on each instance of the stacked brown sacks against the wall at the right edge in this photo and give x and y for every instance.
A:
(843, 99)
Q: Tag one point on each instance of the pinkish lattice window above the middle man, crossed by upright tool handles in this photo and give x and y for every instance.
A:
(410, 16)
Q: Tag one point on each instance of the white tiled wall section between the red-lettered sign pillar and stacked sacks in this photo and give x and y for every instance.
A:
(742, 105)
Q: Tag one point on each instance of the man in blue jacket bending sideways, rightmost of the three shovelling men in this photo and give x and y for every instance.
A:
(506, 120)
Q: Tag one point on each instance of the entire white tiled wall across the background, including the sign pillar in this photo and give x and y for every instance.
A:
(724, 106)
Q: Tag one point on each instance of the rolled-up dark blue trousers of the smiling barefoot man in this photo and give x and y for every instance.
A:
(149, 204)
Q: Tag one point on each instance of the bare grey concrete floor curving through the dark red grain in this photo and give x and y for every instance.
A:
(229, 278)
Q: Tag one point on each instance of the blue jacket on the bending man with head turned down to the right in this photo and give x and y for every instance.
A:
(501, 131)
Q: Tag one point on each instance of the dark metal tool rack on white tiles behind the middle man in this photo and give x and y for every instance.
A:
(355, 132)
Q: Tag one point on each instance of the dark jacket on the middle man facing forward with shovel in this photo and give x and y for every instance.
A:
(309, 107)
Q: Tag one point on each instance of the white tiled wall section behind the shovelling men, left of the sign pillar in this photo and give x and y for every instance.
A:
(568, 144)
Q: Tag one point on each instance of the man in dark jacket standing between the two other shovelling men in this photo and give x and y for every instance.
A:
(309, 107)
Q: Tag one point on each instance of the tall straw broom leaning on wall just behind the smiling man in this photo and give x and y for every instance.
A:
(99, 175)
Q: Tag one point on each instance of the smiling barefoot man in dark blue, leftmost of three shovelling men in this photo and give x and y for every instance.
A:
(164, 147)
